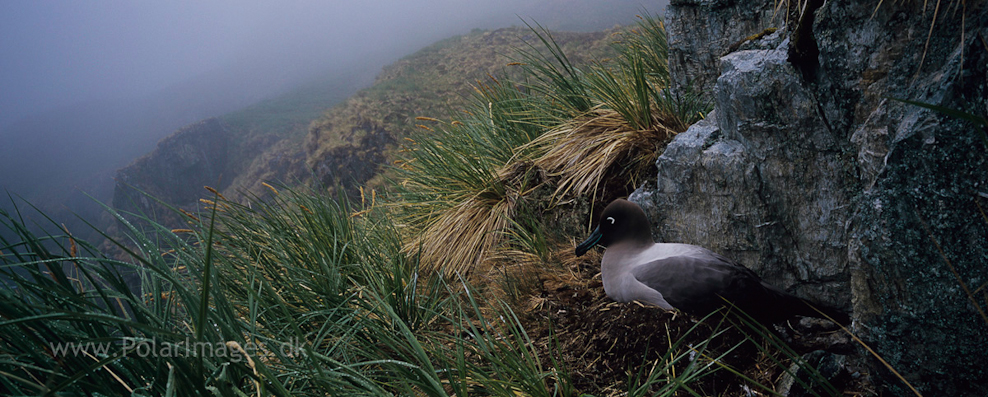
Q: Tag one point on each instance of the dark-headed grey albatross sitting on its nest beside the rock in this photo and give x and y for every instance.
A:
(686, 277)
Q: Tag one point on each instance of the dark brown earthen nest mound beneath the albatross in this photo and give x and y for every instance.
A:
(602, 345)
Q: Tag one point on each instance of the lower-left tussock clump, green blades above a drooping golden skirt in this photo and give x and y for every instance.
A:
(458, 193)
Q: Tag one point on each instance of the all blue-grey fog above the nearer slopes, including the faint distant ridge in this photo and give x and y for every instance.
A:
(87, 86)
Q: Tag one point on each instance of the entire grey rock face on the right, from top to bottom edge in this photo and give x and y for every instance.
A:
(818, 181)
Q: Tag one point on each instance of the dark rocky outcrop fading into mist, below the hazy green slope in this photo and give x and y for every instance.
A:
(211, 153)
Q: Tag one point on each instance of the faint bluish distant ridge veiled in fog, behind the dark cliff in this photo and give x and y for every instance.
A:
(65, 161)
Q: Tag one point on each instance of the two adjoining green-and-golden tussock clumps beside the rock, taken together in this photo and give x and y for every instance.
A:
(464, 185)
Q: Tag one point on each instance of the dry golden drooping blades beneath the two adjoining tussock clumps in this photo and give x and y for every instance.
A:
(576, 157)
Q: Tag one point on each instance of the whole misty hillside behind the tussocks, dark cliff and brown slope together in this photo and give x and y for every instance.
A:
(347, 145)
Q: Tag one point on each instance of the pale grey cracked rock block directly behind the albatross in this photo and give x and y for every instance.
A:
(762, 180)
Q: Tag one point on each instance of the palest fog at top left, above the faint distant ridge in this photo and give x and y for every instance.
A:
(57, 53)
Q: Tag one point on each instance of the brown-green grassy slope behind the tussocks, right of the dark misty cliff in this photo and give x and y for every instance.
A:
(432, 82)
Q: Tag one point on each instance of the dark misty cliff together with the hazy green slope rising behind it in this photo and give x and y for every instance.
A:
(234, 153)
